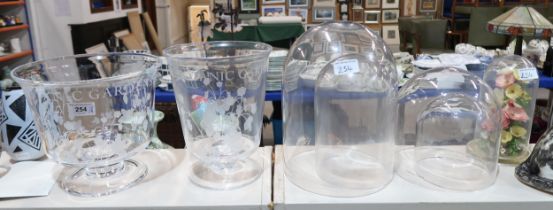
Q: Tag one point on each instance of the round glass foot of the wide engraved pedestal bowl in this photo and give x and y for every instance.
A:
(104, 180)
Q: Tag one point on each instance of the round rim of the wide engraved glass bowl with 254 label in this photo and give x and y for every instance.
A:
(30, 82)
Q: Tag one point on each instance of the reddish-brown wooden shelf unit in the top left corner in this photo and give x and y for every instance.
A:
(20, 32)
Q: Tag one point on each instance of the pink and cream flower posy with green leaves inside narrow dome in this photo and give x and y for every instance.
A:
(516, 101)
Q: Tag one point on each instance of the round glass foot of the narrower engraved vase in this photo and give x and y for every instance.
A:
(223, 178)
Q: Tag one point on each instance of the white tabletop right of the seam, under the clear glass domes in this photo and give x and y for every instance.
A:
(506, 194)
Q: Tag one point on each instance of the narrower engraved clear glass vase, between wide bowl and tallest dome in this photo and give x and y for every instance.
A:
(220, 91)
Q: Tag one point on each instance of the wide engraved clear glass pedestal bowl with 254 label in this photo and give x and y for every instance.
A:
(93, 112)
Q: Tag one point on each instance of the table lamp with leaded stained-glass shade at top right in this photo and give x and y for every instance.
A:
(521, 21)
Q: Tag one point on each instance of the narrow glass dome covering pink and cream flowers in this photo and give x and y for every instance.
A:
(515, 81)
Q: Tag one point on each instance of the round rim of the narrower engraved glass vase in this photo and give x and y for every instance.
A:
(266, 48)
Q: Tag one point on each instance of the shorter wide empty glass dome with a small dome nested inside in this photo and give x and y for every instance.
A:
(457, 124)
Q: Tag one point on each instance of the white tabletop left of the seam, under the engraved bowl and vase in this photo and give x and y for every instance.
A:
(166, 187)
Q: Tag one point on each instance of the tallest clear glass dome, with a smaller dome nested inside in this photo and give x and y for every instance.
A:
(307, 68)
